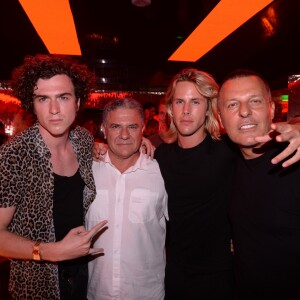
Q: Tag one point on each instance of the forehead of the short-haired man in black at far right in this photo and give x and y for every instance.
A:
(243, 86)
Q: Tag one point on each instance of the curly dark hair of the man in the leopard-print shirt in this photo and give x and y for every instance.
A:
(25, 77)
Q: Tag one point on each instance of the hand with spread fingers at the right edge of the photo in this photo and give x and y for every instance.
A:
(284, 132)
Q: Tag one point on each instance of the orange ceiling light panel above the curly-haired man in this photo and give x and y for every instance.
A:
(54, 23)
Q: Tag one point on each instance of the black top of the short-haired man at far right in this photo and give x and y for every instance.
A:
(265, 213)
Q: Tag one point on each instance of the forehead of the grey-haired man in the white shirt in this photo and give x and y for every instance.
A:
(124, 116)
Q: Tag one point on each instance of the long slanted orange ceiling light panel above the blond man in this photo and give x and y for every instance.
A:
(225, 18)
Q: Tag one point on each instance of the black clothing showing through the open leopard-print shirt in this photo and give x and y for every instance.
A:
(68, 214)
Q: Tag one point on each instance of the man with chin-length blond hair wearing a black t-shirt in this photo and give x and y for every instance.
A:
(197, 171)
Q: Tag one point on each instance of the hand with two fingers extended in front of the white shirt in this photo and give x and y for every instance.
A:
(77, 242)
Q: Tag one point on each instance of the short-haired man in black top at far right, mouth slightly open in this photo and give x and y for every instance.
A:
(265, 202)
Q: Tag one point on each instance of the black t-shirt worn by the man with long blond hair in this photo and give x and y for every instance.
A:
(197, 181)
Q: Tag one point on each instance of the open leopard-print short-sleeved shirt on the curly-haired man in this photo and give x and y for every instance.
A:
(27, 182)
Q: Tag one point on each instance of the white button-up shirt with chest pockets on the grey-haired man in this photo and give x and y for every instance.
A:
(135, 205)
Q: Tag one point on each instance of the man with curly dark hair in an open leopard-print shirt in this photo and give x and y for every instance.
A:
(47, 184)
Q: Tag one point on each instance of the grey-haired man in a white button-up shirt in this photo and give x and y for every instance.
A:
(131, 196)
